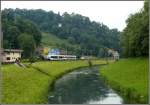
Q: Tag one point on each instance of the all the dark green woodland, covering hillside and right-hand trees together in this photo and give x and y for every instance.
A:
(23, 29)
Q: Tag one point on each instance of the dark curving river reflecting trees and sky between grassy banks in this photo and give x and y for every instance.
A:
(83, 86)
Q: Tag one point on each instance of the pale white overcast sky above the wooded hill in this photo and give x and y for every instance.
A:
(111, 13)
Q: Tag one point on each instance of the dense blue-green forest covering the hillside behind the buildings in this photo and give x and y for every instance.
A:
(92, 37)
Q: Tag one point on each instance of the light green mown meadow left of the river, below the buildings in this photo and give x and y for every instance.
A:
(31, 85)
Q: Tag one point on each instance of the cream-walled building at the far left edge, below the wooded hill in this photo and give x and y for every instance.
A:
(11, 55)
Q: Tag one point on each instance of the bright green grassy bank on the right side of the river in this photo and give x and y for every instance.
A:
(129, 77)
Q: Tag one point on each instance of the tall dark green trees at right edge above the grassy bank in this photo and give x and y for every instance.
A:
(135, 37)
